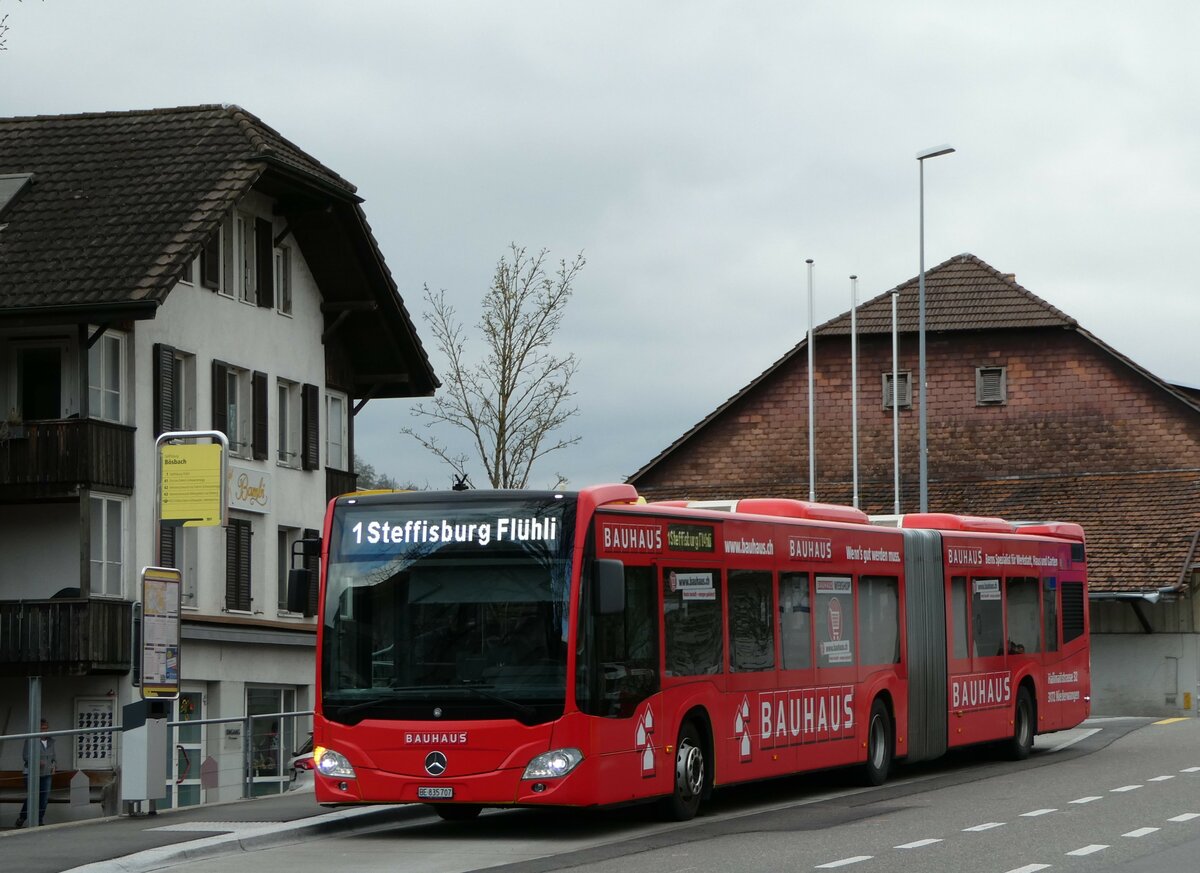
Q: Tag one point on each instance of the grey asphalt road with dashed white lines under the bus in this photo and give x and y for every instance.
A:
(1120, 796)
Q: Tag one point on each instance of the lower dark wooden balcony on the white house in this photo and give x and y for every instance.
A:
(65, 637)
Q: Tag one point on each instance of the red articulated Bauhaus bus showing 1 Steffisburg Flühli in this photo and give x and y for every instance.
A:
(482, 649)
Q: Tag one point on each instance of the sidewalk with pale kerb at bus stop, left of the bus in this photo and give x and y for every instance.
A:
(133, 845)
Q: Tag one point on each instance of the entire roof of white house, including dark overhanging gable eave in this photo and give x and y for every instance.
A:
(122, 202)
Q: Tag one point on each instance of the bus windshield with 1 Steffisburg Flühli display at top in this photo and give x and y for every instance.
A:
(447, 609)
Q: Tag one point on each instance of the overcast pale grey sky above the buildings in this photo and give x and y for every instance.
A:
(697, 153)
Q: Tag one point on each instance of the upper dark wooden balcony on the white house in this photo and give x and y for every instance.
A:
(57, 459)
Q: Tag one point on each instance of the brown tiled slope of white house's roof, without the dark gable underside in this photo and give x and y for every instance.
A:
(121, 202)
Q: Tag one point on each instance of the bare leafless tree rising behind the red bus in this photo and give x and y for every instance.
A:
(512, 402)
